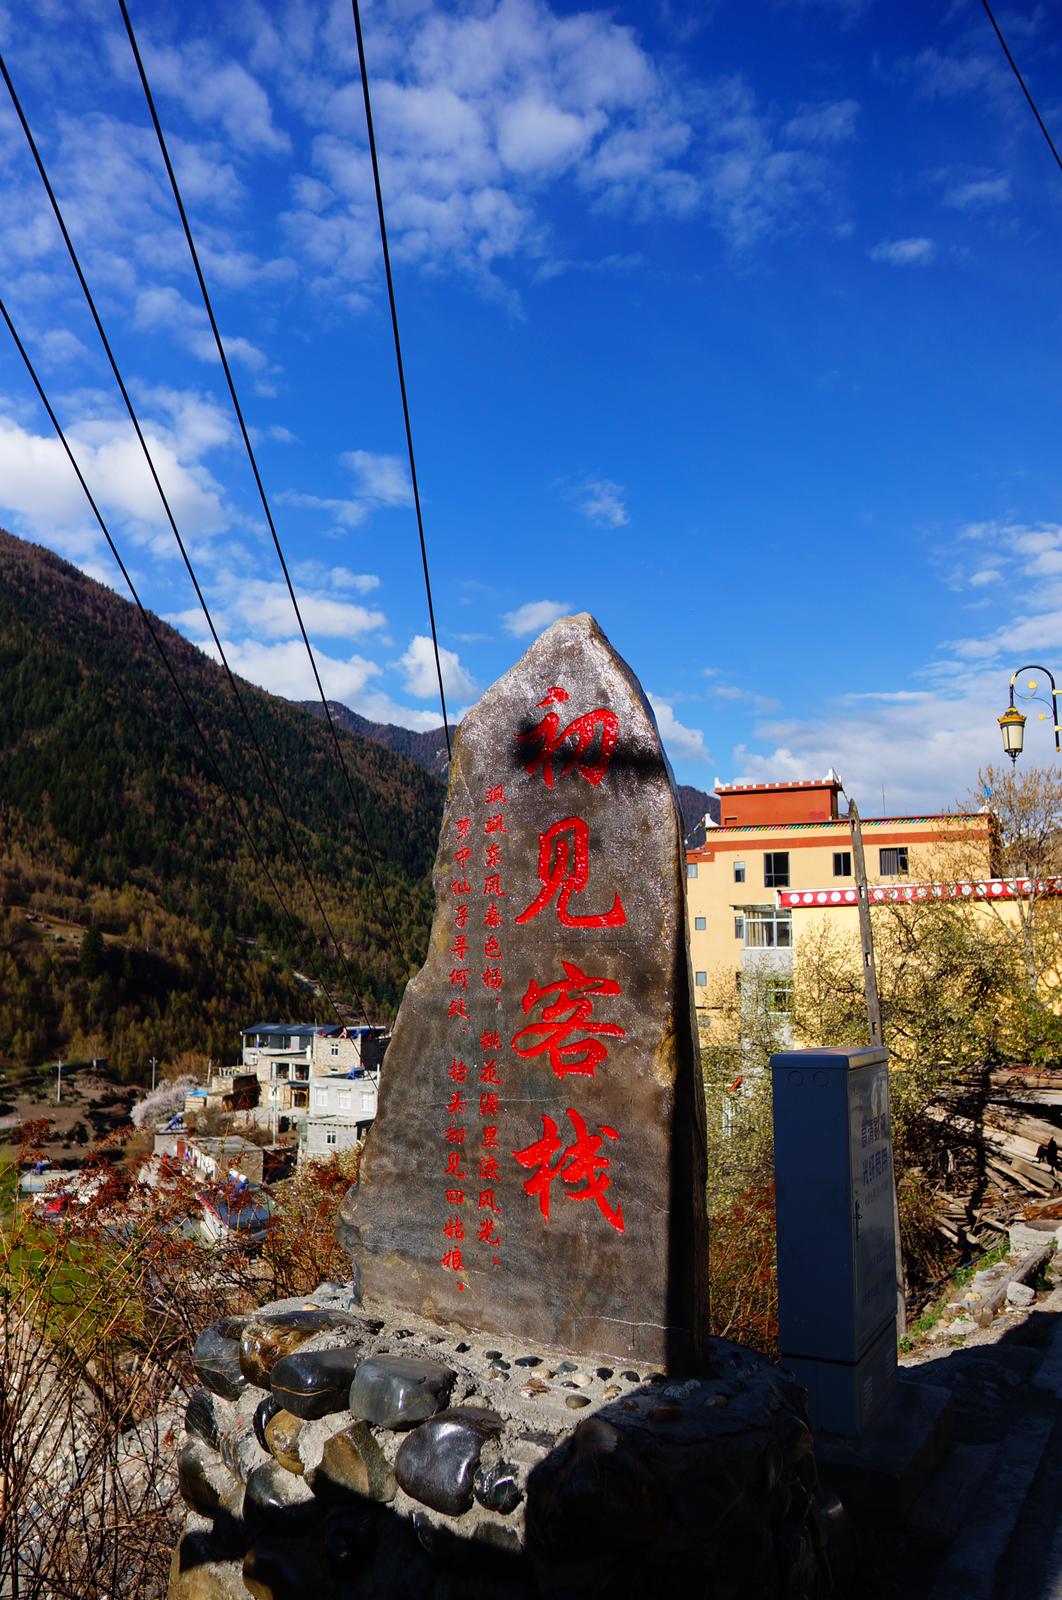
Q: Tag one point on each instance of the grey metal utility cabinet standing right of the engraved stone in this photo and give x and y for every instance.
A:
(836, 1231)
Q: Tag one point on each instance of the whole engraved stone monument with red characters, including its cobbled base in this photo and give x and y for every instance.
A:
(517, 1396)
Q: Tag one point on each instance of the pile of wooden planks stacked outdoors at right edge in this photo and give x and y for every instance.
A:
(1004, 1137)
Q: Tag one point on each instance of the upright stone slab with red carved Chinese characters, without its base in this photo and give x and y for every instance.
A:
(577, 876)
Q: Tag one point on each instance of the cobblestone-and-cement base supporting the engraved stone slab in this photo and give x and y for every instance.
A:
(338, 1455)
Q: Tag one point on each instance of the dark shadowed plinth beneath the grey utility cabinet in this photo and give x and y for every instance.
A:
(884, 1473)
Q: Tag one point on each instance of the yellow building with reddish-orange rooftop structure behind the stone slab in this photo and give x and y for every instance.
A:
(781, 860)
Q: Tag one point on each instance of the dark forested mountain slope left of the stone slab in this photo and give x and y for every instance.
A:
(111, 818)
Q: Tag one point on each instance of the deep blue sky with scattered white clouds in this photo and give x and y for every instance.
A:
(737, 326)
